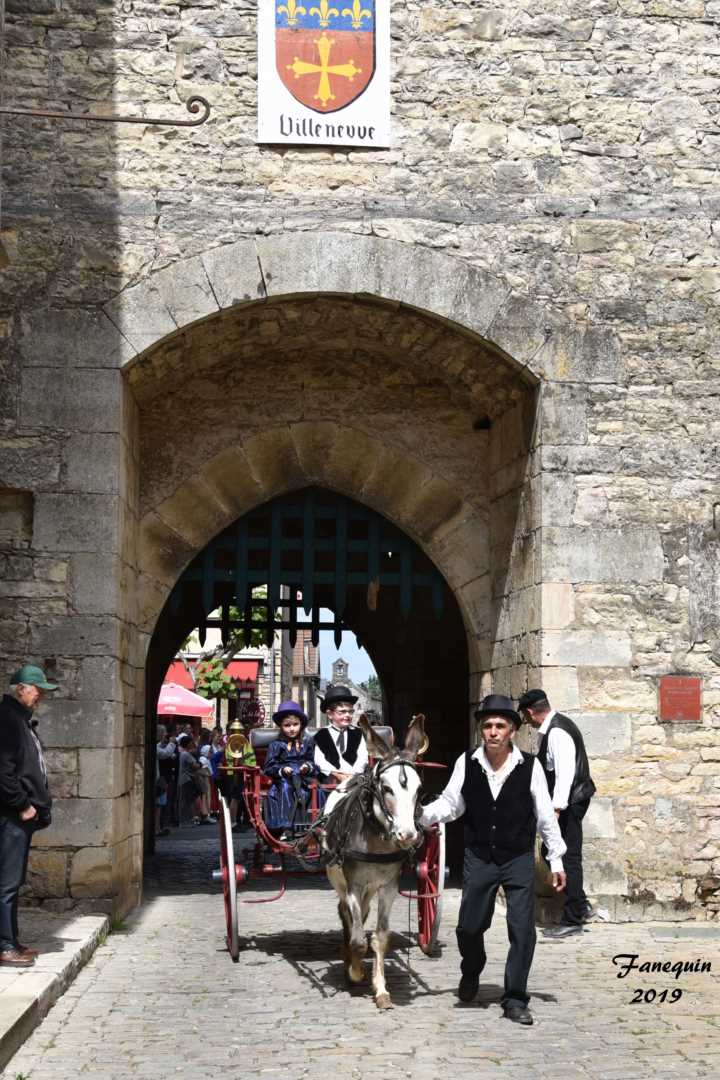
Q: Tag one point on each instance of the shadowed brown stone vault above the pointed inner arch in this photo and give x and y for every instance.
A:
(365, 398)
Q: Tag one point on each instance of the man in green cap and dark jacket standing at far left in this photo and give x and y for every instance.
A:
(25, 802)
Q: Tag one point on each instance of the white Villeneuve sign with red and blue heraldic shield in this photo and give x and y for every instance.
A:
(324, 73)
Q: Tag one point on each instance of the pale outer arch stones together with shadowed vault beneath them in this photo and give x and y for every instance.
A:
(270, 322)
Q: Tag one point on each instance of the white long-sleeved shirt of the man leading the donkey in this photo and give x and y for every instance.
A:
(451, 805)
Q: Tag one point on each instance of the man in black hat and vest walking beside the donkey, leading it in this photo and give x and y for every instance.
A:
(504, 795)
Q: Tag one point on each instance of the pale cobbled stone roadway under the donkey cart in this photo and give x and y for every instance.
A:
(161, 998)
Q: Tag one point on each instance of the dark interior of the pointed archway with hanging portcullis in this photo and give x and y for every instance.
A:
(315, 552)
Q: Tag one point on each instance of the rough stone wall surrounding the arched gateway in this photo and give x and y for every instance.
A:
(568, 164)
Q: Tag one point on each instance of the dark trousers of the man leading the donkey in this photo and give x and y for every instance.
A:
(480, 888)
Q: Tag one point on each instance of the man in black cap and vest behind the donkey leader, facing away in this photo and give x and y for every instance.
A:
(562, 753)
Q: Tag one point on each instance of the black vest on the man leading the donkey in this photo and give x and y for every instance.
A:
(504, 830)
